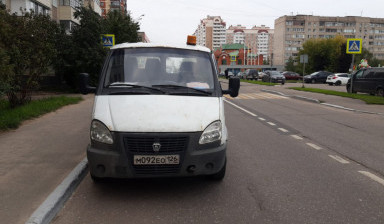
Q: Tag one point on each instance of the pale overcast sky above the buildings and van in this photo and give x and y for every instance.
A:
(170, 21)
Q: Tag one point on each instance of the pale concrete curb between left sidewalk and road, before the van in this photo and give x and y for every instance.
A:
(55, 201)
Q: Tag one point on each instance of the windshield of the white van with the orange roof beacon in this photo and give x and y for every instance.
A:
(159, 67)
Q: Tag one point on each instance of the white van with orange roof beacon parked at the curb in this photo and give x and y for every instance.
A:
(158, 112)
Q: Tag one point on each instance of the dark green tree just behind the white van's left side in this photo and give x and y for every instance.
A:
(82, 50)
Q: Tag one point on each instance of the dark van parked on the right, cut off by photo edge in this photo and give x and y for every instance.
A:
(367, 80)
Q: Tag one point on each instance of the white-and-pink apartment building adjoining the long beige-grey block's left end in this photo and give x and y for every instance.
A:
(258, 39)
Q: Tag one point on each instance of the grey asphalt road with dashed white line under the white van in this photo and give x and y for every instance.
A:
(289, 161)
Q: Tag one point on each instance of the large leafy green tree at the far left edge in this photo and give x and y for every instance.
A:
(28, 47)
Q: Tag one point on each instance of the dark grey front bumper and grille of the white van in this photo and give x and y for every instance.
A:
(116, 161)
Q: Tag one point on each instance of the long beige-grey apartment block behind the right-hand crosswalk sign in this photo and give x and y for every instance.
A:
(292, 31)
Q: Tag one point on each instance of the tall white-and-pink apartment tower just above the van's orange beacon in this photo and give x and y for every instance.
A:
(211, 32)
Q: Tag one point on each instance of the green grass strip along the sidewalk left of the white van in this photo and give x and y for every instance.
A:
(12, 118)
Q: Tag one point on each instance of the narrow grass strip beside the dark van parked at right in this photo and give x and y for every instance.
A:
(366, 98)
